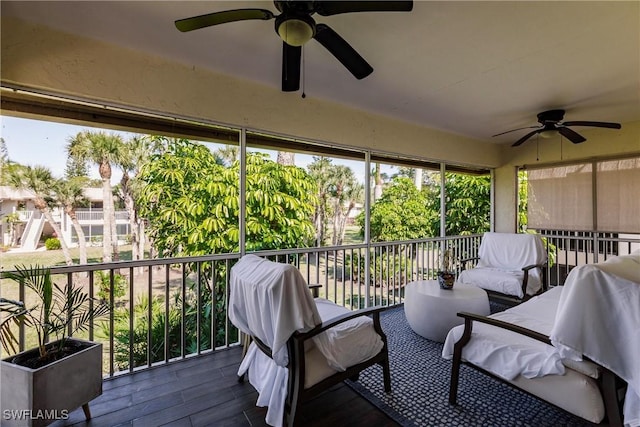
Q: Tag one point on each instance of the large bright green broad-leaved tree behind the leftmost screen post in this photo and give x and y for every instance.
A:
(191, 202)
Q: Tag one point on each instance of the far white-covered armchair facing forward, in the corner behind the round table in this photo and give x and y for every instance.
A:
(509, 265)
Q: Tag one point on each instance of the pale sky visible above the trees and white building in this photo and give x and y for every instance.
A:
(42, 143)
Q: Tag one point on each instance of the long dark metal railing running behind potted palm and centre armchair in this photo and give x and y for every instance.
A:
(173, 308)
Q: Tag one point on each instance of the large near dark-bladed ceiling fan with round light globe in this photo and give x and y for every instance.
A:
(295, 26)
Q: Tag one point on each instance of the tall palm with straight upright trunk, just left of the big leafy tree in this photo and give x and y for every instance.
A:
(104, 150)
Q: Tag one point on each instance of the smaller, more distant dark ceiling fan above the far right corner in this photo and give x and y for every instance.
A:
(551, 122)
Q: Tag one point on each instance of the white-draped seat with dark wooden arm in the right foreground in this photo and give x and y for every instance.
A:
(533, 346)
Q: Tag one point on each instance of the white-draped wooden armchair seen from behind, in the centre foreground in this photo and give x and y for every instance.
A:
(300, 345)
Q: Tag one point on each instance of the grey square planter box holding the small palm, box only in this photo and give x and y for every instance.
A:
(37, 397)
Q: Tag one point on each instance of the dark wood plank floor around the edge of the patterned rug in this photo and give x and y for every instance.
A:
(204, 391)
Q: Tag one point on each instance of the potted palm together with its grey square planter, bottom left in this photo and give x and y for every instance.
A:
(47, 382)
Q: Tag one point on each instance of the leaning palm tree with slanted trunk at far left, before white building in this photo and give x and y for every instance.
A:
(38, 180)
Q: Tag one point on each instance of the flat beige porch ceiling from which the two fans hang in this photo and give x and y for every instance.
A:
(472, 68)
